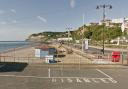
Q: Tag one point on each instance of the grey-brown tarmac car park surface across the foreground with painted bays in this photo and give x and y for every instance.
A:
(24, 76)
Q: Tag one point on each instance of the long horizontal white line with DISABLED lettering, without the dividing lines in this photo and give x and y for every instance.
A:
(68, 79)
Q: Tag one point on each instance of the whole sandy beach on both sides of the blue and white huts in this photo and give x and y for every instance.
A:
(27, 54)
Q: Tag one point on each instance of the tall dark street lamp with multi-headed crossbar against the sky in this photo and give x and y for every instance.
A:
(103, 7)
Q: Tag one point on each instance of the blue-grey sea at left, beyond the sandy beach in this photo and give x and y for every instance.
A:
(8, 45)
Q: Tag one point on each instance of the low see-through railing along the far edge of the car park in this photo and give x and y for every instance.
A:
(74, 58)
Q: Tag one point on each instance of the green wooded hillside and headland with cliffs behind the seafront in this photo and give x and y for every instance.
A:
(93, 32)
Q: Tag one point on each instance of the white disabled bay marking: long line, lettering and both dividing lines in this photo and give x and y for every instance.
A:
(60, 79)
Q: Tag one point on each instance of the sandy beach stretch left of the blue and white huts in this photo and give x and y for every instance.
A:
(26, 54)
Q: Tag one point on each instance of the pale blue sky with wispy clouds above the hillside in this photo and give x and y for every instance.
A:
(20, 18)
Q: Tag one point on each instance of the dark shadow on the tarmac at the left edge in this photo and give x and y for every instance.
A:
(12, 67)
